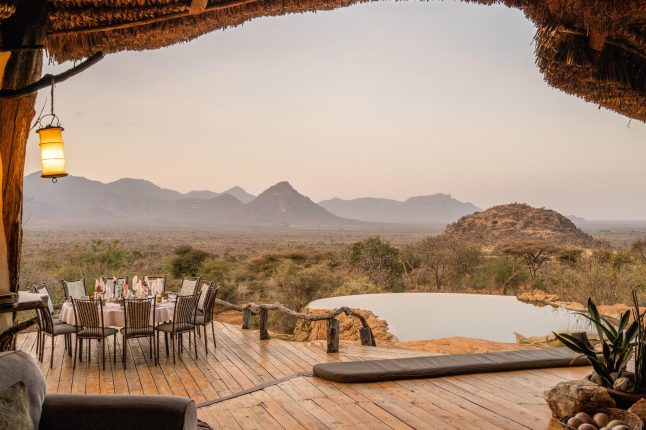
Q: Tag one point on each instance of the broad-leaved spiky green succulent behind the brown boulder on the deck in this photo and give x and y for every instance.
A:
(617, 343)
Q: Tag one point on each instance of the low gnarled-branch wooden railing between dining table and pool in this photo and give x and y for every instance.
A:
(333, 326)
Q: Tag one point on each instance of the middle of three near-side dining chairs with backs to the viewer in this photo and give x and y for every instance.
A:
(138, 314)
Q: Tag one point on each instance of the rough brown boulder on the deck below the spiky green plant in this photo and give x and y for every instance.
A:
(571, 397)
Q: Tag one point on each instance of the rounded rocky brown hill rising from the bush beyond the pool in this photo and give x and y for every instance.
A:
(517, 222)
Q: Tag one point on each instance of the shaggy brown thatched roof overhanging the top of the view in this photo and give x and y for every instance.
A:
(595, 49)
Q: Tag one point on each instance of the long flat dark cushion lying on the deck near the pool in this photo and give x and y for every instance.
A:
(446, 365)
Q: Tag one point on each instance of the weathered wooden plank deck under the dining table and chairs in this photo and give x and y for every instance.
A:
(510, 400)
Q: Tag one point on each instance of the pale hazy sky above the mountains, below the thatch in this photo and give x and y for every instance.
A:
(382, 99)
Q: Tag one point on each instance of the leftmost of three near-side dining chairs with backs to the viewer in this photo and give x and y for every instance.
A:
(89, 325)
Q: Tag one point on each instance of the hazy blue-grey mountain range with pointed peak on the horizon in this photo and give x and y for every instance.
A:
(77, 200)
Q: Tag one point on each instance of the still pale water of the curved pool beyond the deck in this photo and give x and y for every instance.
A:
(420, 316)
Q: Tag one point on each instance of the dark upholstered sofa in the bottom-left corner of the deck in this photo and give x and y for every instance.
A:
(96, 412)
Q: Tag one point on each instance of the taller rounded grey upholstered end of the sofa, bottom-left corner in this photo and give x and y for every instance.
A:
(17, 366)
